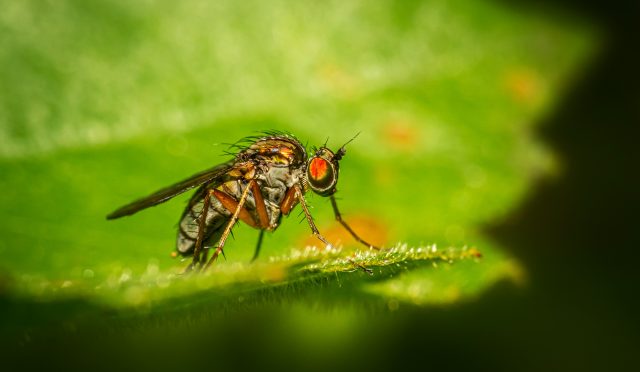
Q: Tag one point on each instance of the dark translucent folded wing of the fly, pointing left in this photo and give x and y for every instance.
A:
(218, 172)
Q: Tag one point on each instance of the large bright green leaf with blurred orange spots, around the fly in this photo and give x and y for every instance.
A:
(105, 101)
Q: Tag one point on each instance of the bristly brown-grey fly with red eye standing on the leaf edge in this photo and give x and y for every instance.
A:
(267, 178)
